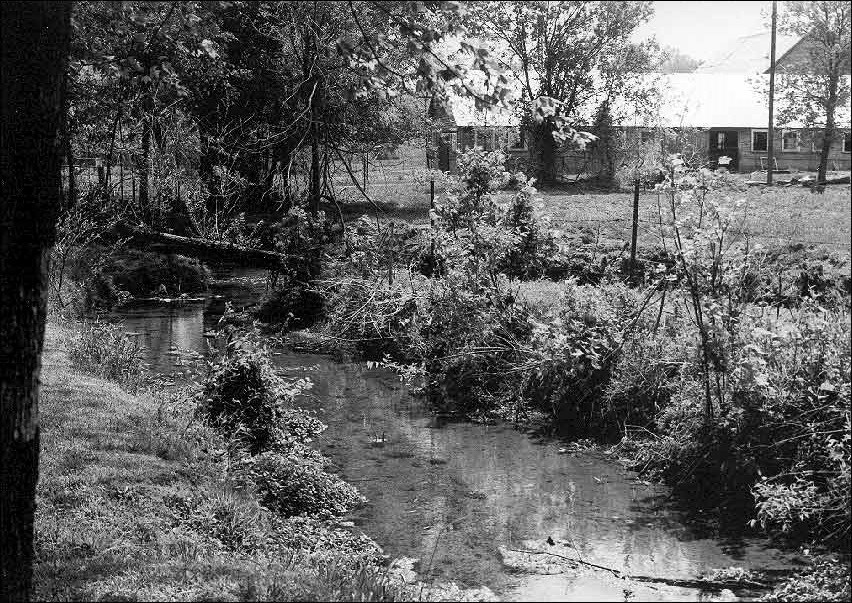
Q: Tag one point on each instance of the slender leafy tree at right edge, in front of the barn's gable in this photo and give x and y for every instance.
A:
(811, 85)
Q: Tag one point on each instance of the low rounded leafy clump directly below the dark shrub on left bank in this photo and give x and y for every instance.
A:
(294, 482)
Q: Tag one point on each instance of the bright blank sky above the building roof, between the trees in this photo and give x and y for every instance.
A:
(702, 29)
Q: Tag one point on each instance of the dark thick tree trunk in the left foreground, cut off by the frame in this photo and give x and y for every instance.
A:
(34, 38)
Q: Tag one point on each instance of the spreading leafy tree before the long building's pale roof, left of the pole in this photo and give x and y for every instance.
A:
(568, 53)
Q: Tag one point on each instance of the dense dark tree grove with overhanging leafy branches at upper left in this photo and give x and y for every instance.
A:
(231, 106)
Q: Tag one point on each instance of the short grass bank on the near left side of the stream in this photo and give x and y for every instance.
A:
(135, 503)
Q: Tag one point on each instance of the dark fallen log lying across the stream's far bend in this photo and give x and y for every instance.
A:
(206, 248)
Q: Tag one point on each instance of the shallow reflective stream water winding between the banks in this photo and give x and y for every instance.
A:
(462, 497)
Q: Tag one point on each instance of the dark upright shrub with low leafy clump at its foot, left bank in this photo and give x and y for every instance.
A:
(248, 402)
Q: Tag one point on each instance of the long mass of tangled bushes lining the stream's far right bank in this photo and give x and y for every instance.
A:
(749, 411)
